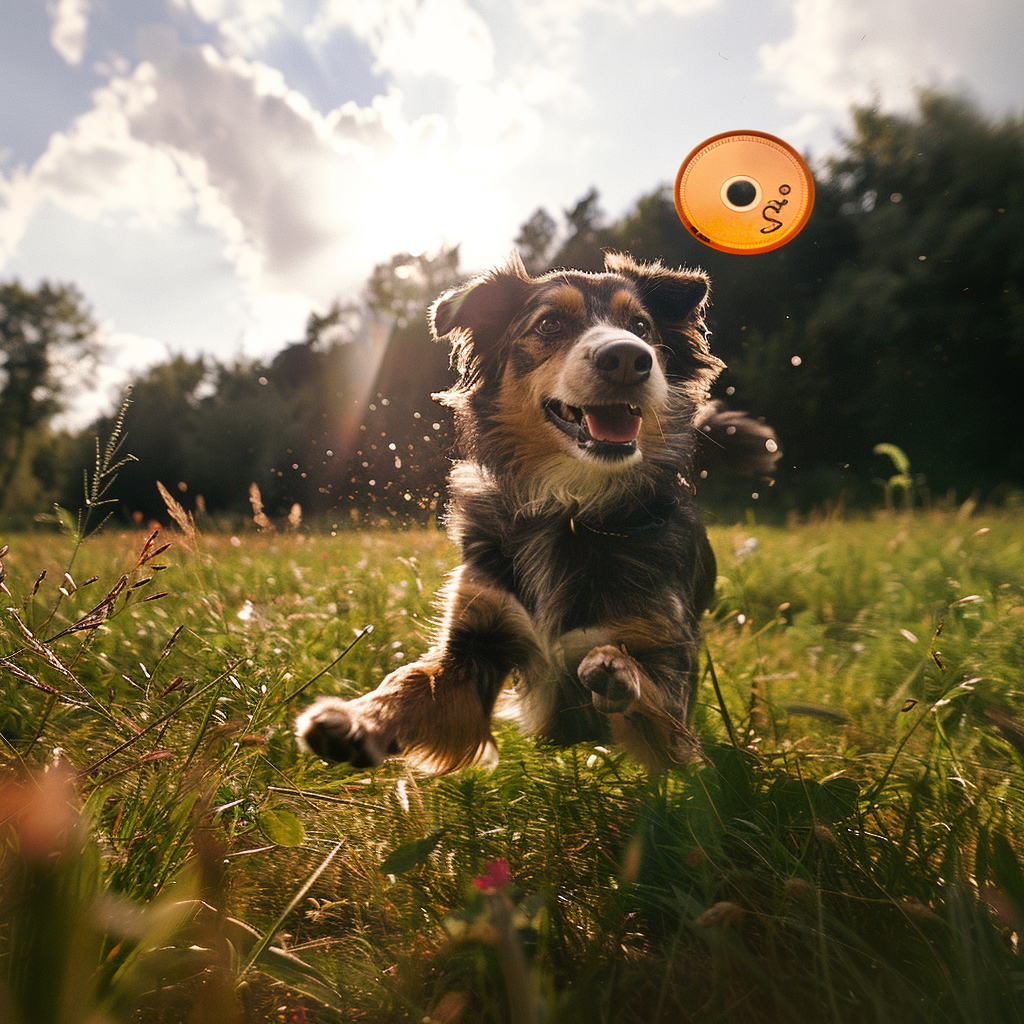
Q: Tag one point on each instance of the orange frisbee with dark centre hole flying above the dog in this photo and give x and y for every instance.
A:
(745, 192)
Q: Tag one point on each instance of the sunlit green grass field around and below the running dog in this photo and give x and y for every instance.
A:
(849, 852)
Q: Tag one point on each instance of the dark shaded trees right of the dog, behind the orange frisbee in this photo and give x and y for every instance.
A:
(902, 300)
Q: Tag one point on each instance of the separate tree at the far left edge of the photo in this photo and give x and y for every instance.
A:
(42, 332)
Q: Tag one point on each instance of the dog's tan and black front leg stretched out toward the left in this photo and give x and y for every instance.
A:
(437, 711)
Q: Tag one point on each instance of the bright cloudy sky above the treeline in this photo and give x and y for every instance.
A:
(208, 173)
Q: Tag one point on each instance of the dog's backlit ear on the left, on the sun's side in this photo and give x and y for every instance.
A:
(476, 317)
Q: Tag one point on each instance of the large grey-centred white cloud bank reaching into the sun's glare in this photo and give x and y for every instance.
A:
(305, 203)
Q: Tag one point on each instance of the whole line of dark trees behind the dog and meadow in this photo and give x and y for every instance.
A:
(895, 318)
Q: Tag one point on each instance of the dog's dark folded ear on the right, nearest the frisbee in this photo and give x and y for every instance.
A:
(677, 301)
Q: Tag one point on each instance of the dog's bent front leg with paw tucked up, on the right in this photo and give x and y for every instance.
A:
(648, 718)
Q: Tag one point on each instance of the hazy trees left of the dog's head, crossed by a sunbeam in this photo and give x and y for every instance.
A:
(349, 405)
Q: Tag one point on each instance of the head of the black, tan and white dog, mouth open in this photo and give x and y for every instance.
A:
(574, 383)
